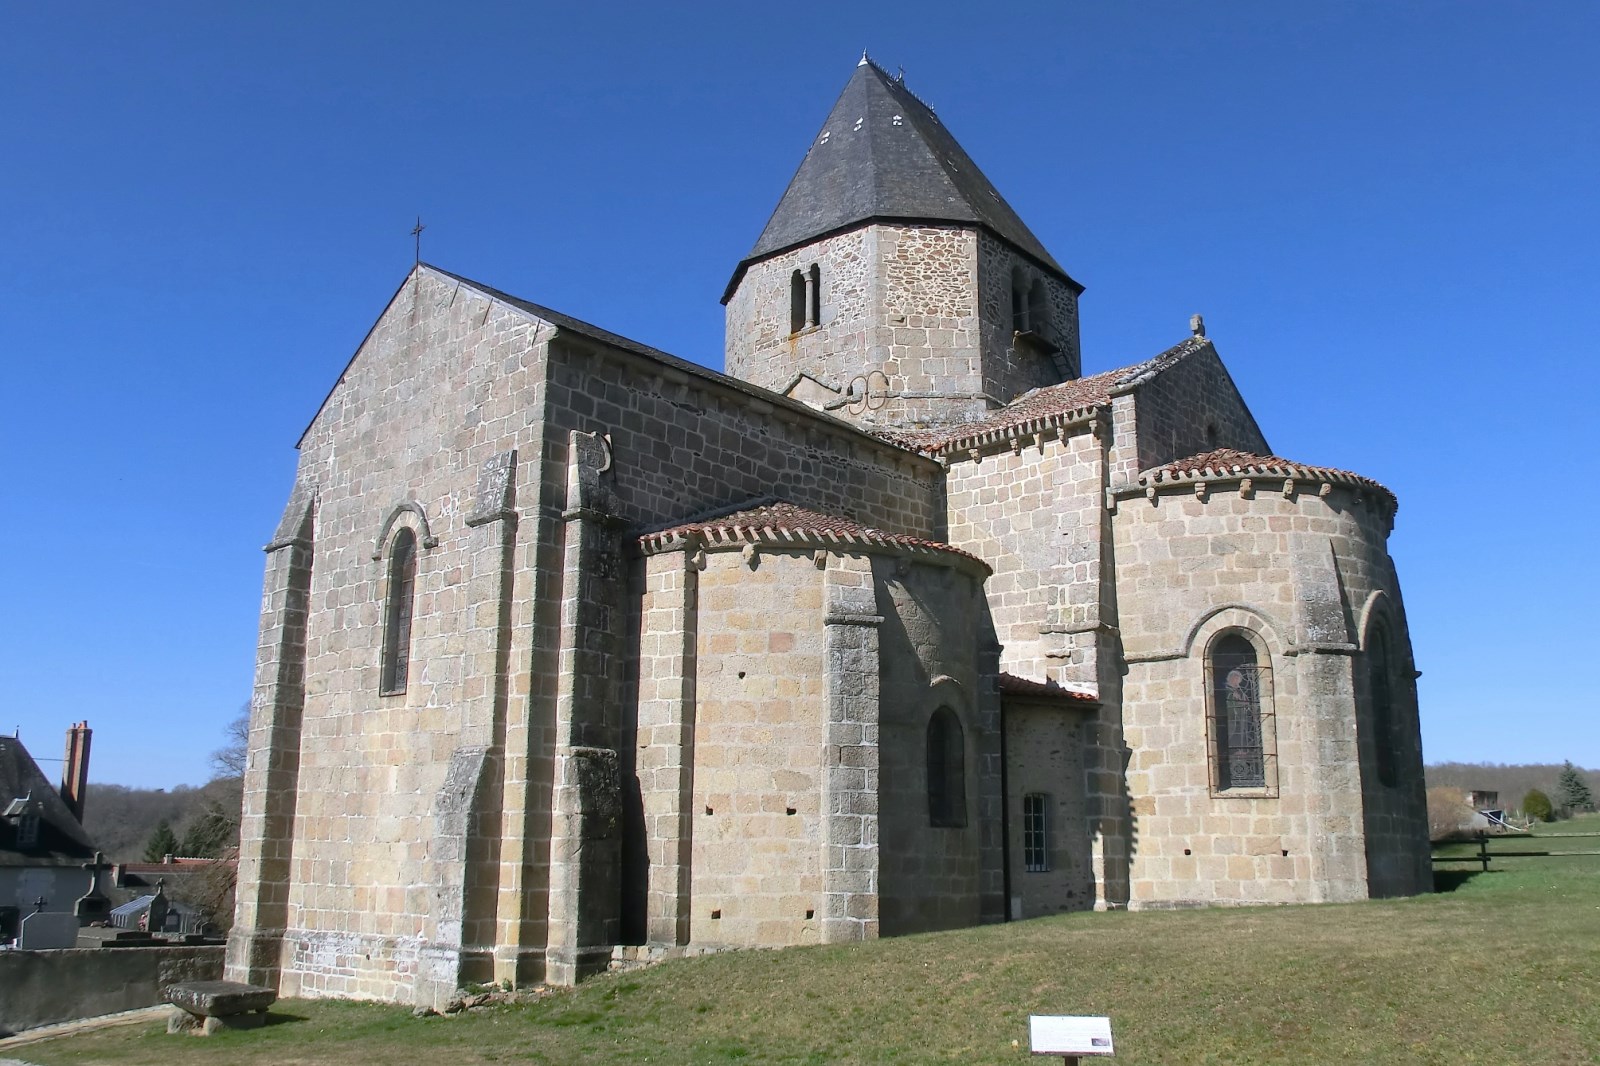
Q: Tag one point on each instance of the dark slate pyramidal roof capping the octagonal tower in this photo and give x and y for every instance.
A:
(884, 156)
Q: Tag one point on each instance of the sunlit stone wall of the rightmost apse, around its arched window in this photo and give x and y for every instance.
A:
(1282, 569)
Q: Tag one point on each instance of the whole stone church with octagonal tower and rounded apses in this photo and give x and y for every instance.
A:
(575, 652)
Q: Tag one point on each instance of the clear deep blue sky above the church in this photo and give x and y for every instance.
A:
(1388, 215)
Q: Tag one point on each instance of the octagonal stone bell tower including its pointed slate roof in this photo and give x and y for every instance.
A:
(894, 286)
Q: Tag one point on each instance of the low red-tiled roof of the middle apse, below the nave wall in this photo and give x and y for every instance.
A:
(782, 523)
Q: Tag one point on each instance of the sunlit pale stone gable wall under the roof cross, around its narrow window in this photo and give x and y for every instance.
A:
(444, 382)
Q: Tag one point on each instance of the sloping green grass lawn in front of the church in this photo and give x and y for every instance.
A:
(1502, 969)
